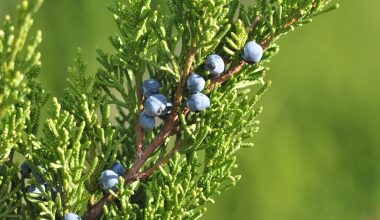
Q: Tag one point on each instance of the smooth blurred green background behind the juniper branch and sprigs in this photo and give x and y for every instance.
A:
(318, 151)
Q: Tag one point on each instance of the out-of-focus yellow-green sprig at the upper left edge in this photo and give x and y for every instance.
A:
(18, 61)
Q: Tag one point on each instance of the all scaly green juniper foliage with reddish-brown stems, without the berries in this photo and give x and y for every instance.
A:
(183, 163)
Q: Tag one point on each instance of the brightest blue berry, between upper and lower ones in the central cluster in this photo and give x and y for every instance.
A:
(155, 105)
